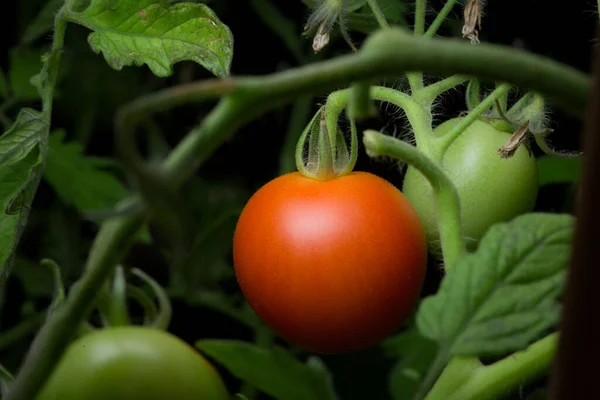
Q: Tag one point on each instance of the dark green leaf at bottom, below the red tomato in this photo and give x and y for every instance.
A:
(274, 371)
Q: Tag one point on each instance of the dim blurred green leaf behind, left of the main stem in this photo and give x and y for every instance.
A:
(77, 180)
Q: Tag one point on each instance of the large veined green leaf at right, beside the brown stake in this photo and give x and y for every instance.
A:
(504, 296)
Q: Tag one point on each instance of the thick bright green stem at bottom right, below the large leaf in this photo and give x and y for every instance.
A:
(499, 379)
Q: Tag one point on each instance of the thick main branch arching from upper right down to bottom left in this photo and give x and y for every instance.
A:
(384, 53)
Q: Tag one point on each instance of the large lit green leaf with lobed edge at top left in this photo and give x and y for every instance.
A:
(131, 32)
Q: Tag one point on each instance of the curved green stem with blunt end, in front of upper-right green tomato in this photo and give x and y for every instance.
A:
(453, 245)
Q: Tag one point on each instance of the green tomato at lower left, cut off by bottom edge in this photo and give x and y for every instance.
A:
(133, 362)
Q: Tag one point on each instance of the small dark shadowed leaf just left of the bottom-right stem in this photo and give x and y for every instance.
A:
(416, 355)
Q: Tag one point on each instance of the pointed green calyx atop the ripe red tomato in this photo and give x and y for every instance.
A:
(322, 154)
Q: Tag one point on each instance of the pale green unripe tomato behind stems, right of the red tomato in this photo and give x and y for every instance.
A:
(491, 189)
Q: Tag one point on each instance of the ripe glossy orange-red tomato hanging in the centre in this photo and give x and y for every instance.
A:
(331, 266)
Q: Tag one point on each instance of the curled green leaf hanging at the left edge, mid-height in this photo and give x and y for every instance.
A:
(20, 172)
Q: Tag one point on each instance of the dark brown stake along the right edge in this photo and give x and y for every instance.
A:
(575, 374)
